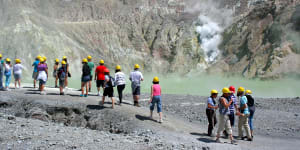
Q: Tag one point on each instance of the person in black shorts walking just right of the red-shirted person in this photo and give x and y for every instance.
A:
(108, 88)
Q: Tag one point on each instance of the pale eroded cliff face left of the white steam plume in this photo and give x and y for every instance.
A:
(123, 32)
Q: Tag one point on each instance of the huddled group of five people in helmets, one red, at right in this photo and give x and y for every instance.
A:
(229, 105)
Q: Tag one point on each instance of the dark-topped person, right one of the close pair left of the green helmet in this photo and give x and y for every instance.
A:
(61, 75)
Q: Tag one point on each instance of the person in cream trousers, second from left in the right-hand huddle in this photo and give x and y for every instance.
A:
(224, 121)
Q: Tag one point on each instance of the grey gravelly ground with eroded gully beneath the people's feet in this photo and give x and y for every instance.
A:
(32, 121)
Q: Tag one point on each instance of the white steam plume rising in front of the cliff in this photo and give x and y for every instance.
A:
(212, 21)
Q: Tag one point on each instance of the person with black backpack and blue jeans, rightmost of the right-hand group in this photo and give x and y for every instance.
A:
(251, 105)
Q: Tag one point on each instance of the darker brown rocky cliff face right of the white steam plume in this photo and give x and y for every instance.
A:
(264, 41)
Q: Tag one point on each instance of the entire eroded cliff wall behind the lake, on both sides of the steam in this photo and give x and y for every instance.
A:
(262, 39)
